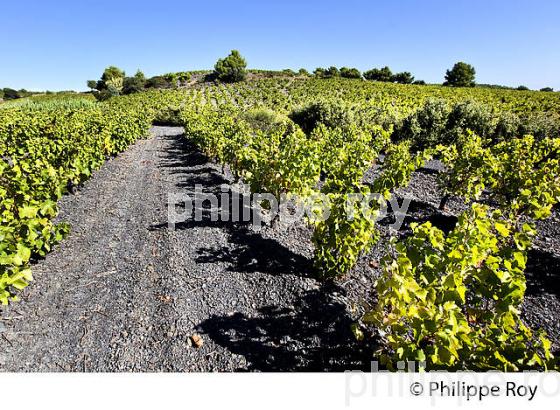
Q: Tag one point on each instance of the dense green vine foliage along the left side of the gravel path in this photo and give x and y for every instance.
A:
(44, 150)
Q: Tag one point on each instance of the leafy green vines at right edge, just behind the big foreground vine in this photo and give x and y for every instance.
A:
(521, 174)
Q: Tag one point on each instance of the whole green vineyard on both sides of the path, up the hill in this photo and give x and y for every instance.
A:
(447, 288)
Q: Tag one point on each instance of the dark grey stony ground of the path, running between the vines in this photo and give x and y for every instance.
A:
(125, 293)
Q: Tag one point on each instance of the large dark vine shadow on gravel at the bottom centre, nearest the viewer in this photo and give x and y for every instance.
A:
(313, 336)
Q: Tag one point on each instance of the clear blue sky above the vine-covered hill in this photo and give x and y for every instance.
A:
(61, 44)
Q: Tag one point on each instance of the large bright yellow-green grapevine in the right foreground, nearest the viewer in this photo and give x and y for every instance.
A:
(453, 301)
